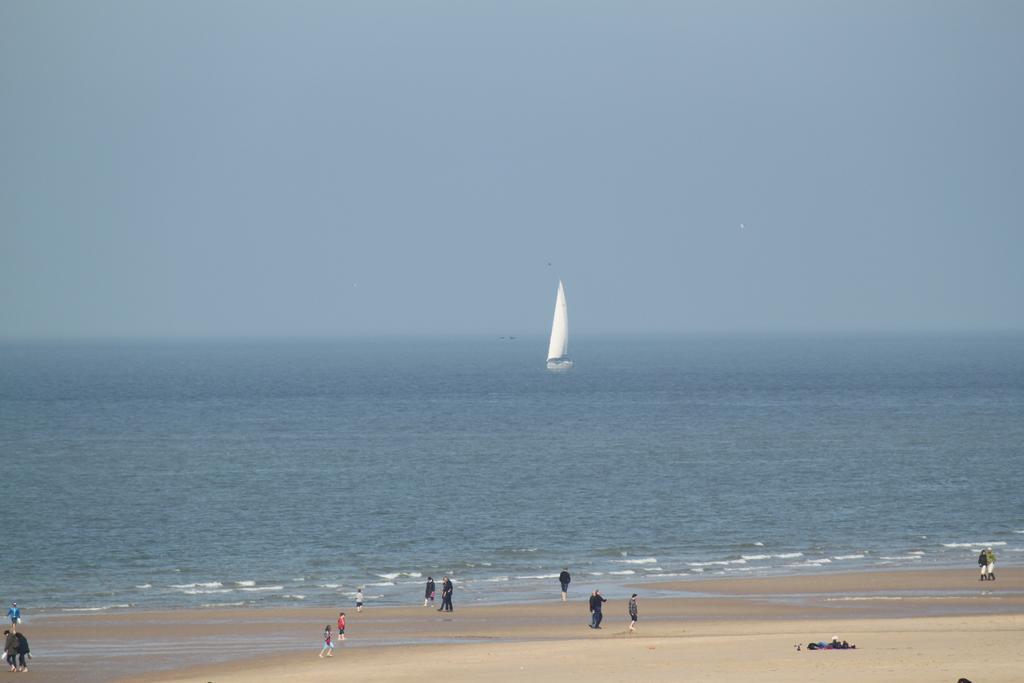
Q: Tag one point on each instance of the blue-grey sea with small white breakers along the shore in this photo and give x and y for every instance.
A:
(189, 474)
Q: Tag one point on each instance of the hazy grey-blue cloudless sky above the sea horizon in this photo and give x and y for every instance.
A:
(296, 168)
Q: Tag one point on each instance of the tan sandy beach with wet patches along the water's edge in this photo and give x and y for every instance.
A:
(909, 626)
